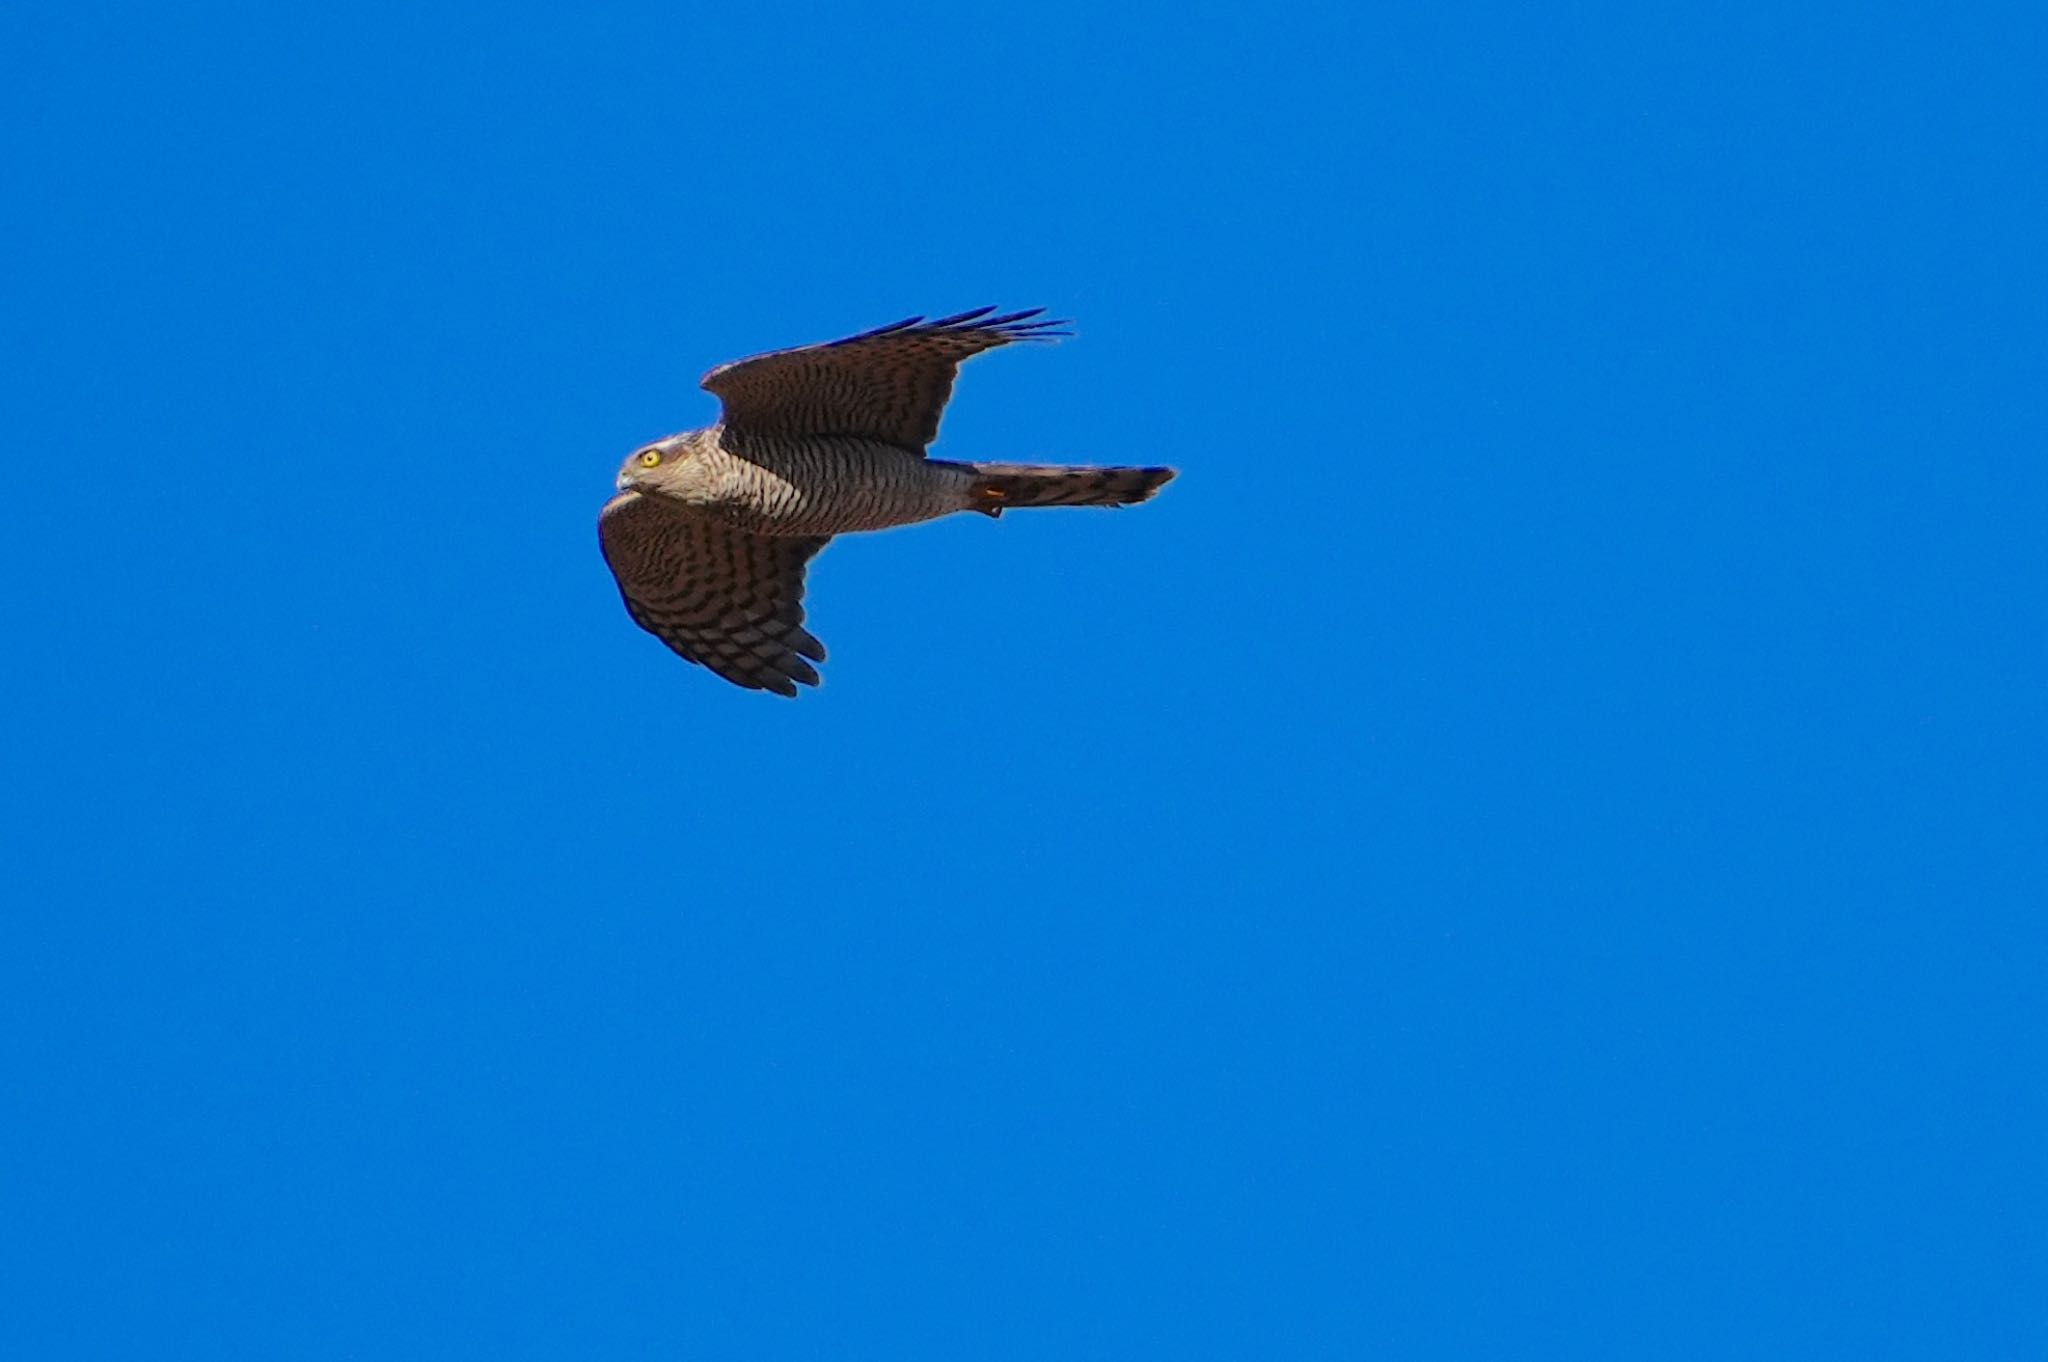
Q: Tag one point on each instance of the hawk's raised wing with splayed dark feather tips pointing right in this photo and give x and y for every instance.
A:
(888, 384)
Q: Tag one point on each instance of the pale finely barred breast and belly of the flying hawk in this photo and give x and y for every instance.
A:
(830, 484)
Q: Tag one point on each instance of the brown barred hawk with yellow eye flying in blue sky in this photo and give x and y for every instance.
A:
(712, 529)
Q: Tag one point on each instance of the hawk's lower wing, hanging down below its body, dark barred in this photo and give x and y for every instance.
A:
(716, 595)
